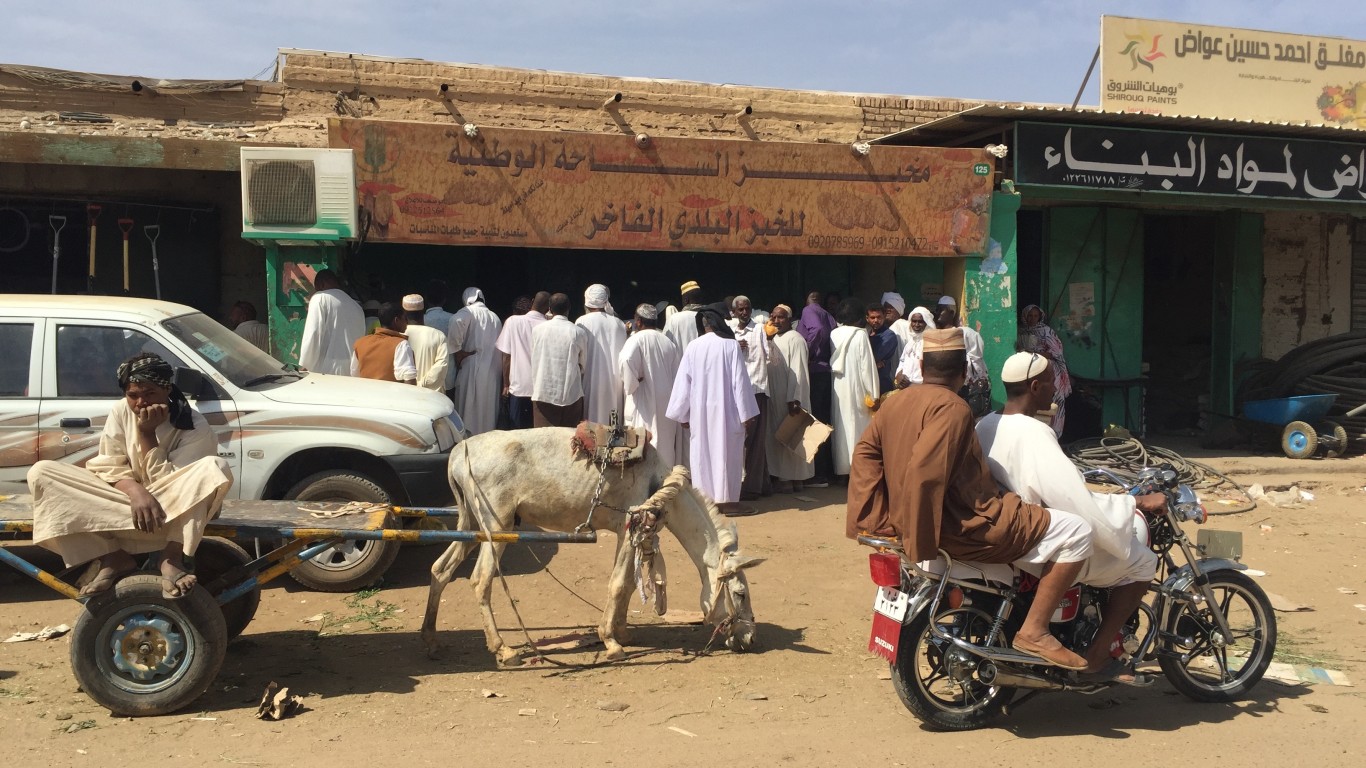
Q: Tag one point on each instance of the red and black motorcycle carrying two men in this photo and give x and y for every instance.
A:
(946, 627)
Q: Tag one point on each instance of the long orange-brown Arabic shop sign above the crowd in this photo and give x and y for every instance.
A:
(432, 184)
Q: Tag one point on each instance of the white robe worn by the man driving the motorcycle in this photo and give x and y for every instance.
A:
(1025, 457)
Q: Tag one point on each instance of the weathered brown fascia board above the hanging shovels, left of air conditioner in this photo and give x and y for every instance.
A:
(122, 152)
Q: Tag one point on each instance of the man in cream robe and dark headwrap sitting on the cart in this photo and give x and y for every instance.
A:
(154, 486)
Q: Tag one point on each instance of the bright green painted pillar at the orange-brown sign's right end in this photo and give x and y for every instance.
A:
(990, 292)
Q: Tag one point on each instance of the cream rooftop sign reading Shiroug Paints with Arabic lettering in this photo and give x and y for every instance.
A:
(1178, 69)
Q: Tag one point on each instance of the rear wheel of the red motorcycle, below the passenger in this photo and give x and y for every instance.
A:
(938, 683)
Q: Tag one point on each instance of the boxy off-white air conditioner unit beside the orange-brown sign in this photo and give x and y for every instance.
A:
(298, 196)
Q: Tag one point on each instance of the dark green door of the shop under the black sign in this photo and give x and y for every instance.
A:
(1095, 292)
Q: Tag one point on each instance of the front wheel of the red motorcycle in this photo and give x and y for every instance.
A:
(1207, 674)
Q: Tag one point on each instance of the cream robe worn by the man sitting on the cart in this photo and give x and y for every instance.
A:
(80, 515)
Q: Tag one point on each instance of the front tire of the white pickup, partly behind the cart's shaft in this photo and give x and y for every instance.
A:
(352, 565)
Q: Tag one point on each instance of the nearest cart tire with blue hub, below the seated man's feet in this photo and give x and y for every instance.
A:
(140, 654)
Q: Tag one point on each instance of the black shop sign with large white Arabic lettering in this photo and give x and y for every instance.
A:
(1128, 159)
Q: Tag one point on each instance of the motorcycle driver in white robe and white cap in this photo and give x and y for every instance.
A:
(1025, 457)
